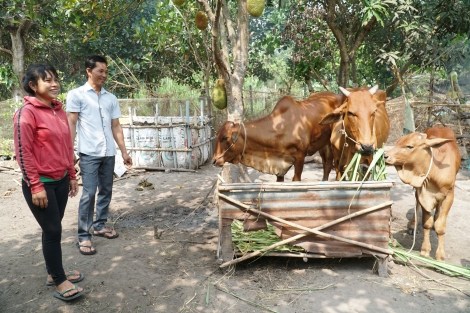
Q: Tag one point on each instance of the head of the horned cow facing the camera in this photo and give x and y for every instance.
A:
(358, 114)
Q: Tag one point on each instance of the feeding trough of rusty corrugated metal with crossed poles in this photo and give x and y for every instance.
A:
(327, 219)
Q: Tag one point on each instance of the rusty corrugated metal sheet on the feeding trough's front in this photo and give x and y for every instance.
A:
(315, 204)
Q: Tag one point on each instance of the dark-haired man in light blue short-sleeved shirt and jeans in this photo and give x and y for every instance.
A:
(94, 113)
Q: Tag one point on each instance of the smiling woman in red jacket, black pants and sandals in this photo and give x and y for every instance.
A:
(44, 152)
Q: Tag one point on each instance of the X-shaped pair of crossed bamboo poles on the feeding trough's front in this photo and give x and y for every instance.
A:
(308, 231)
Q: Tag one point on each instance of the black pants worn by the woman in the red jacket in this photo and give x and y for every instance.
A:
(50, 220)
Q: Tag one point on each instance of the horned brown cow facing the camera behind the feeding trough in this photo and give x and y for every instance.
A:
(360, 124)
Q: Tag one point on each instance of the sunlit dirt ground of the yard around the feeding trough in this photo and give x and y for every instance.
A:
(178, 272)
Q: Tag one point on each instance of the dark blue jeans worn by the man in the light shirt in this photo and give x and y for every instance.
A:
(97, 172)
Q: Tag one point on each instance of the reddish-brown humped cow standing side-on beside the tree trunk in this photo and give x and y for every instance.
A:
(275, 142)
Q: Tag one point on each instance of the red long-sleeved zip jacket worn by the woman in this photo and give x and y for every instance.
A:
(43, 144)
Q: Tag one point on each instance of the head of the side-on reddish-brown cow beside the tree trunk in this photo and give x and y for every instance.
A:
(229, 144)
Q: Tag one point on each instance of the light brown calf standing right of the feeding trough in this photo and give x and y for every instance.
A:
(429, 162)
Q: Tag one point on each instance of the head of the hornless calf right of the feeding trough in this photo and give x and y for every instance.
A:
(411, 157)
